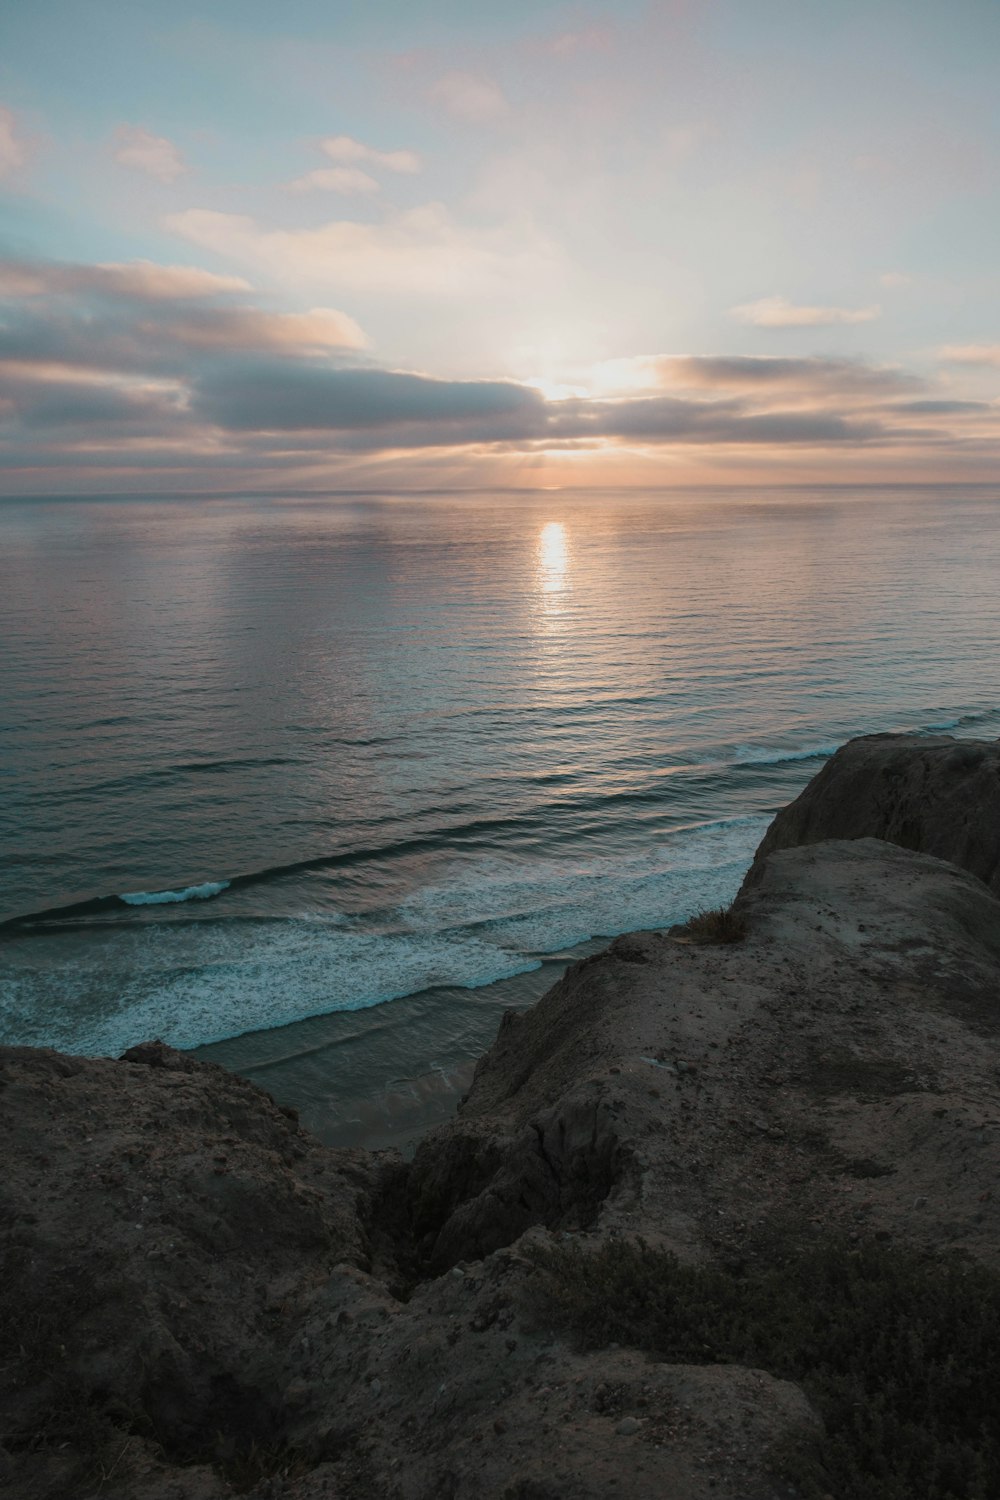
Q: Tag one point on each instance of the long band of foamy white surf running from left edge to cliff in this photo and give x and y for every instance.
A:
(101, 991)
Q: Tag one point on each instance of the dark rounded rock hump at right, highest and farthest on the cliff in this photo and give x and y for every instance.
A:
(936, 796)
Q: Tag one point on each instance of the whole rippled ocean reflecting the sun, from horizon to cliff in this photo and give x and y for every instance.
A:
(322, 787)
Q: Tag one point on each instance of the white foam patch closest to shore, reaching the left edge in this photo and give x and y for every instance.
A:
(193, 988)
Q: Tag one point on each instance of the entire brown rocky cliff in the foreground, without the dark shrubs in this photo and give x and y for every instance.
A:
(200, 1301)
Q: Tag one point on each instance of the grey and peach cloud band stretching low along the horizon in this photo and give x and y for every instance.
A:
(145, 370)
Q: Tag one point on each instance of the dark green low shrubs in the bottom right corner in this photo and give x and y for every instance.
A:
(897, 1352)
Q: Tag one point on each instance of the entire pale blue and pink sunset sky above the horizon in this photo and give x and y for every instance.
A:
(416, 245)
